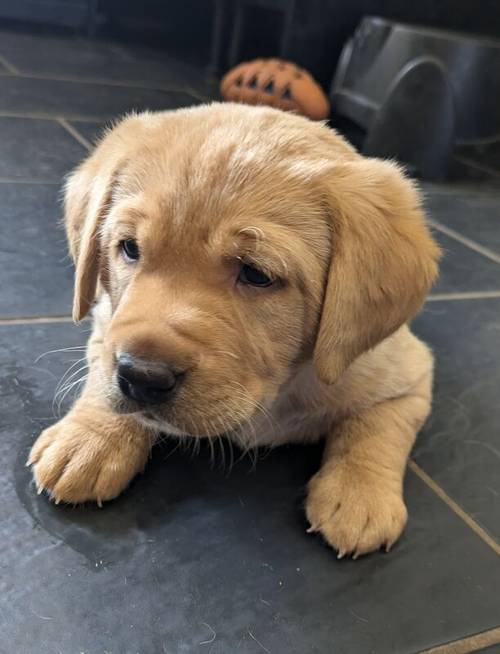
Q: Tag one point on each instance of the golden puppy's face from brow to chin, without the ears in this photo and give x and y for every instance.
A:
(212, 293)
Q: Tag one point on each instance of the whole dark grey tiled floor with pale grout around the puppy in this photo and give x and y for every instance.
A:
(191, 559)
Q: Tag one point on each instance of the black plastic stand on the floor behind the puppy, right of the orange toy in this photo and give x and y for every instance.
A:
(418, 91)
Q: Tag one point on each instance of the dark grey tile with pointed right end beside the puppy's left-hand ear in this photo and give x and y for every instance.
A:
(37, 149)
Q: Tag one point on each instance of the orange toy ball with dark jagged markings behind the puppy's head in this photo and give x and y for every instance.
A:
(277, 83)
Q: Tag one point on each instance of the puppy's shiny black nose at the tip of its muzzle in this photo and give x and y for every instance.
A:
(146, 382)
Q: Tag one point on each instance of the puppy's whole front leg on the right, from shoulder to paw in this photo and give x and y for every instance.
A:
(356, 499)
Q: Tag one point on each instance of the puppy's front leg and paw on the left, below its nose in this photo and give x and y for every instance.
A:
(92, 453)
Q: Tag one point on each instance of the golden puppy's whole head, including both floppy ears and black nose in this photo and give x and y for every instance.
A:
(234, 244)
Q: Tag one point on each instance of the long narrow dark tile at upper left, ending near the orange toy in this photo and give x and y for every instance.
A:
(73, 99)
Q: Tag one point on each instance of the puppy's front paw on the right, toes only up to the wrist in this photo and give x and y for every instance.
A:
(355, 511)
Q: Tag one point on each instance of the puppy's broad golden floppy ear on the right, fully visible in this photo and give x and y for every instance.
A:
(383, 261)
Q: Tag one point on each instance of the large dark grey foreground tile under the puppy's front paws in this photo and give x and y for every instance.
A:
(190, 554)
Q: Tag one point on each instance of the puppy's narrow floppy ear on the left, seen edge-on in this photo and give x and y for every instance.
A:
(88, 197)
